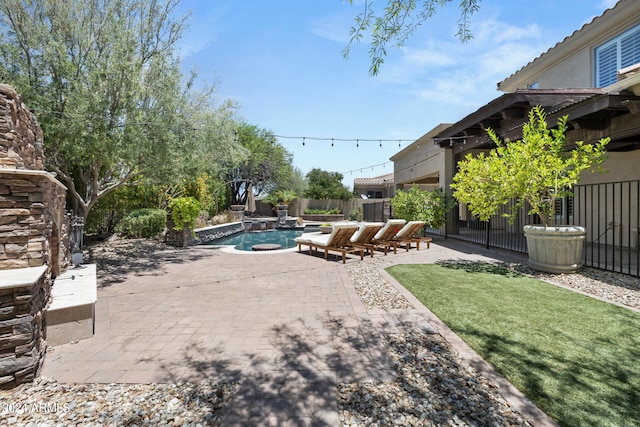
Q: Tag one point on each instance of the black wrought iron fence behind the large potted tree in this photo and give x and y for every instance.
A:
(610, 213)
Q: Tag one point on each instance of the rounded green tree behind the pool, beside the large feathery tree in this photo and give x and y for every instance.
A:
(264, 162)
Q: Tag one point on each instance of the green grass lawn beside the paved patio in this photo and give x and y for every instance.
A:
(576, 357)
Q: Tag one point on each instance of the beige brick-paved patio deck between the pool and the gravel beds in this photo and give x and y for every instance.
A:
(288, 326)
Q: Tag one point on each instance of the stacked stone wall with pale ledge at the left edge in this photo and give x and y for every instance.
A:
(34, 240)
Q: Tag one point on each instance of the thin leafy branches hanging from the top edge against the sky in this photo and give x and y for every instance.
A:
(398, 21)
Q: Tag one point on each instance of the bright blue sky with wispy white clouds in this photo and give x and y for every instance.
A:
(281, 61)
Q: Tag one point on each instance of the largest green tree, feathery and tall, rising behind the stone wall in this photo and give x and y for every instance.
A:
(105, 84)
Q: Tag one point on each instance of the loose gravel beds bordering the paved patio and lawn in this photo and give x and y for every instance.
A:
(434, 386)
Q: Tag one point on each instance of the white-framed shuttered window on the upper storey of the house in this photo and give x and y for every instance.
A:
(619, 52)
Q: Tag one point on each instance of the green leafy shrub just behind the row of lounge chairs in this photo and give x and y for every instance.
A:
(420, 205)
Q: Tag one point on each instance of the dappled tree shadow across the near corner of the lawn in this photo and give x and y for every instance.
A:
(587, 401)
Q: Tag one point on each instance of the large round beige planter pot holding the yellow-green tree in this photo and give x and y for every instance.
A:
(555, 249)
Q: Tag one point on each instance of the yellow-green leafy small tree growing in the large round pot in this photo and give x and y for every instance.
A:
(537, 171)
